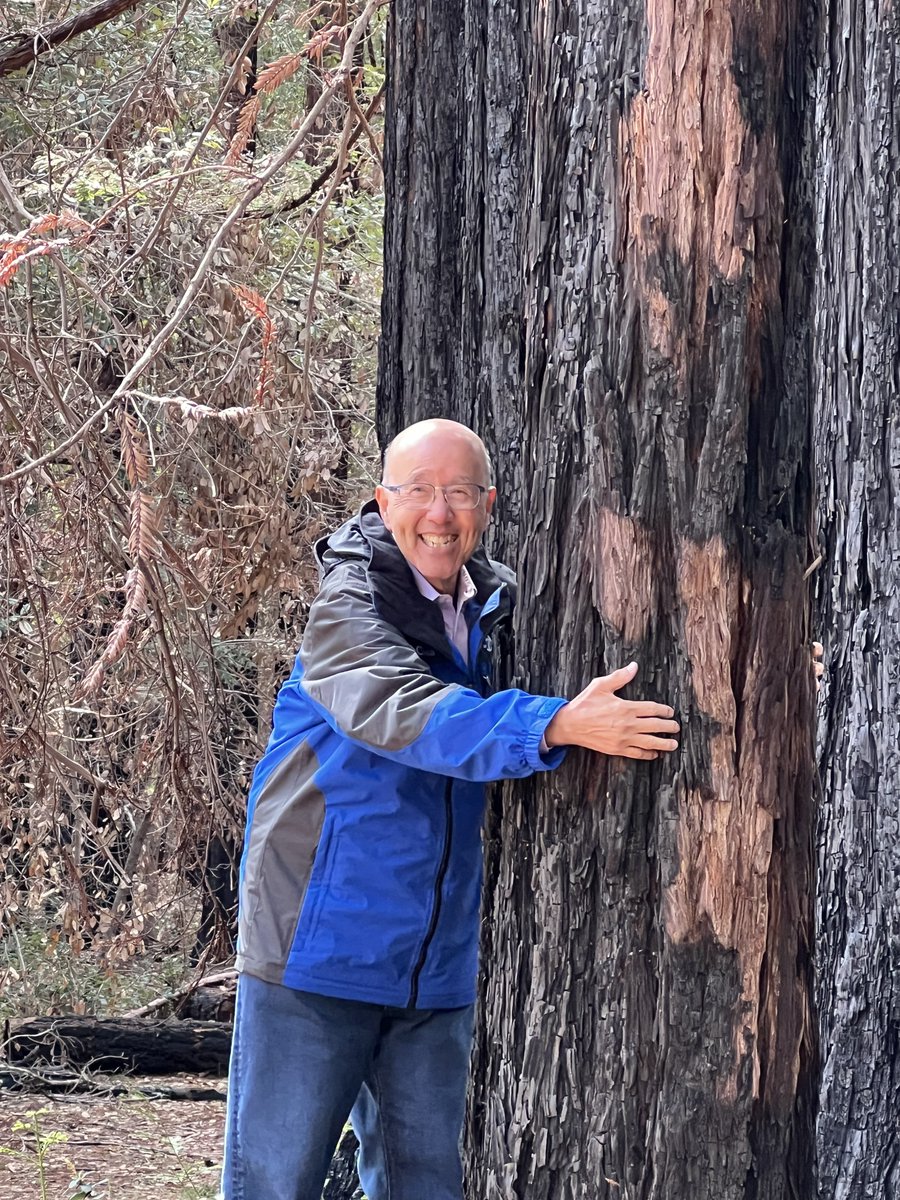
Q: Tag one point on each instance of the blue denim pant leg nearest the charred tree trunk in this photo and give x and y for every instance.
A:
(410, 1113)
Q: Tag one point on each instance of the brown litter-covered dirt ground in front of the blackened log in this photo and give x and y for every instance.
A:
(119, 1148)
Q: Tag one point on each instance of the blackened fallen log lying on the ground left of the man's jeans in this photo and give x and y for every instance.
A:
(142, 1047)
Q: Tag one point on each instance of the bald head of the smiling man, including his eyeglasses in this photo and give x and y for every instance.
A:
(433, 535)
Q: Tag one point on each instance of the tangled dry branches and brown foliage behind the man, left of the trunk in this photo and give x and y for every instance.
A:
(158, 526)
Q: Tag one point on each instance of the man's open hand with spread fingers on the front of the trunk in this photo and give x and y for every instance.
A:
(601, 721)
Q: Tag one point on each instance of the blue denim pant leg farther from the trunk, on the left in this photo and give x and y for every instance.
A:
(298, 1063)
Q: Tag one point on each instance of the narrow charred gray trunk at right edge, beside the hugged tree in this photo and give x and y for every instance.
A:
(857, 375)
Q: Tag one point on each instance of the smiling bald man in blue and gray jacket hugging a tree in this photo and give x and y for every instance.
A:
(362, 875)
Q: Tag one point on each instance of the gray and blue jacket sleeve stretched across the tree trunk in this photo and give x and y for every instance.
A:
(369, 685)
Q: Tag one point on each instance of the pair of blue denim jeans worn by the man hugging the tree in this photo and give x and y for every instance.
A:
(301, 1064)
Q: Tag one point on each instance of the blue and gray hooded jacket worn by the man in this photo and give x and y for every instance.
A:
(362, 871)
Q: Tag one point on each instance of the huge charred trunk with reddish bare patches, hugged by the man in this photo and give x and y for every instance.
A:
(633, 317)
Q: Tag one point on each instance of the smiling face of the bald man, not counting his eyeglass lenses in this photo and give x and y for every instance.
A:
(437, 541)
